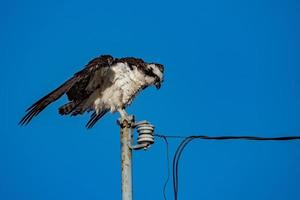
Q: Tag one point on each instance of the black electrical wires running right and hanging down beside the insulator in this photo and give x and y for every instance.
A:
(186, 140)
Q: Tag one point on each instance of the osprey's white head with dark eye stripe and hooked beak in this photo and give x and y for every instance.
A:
(156, 72)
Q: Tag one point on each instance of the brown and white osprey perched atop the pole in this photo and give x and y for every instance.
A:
(105, 84)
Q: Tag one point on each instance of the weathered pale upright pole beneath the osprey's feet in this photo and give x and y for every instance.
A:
(126, 156)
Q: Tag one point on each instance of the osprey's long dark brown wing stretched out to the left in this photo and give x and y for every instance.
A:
(77, 88)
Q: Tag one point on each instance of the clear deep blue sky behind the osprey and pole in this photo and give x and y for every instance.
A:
(231, 68)
